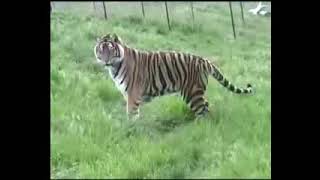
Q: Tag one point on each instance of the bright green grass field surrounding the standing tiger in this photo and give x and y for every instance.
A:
(91, 137)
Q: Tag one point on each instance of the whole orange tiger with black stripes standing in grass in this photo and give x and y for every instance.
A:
(143, 75)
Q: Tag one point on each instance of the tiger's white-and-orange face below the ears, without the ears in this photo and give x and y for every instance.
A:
(107, 52)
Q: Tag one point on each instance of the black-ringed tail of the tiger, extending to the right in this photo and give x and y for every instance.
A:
(216, 73)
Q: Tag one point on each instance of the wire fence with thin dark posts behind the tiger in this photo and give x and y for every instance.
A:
(165, 12)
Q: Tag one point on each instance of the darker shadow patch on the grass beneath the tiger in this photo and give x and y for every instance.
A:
(158, 125)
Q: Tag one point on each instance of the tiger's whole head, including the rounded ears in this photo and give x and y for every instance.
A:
(108, 50)
